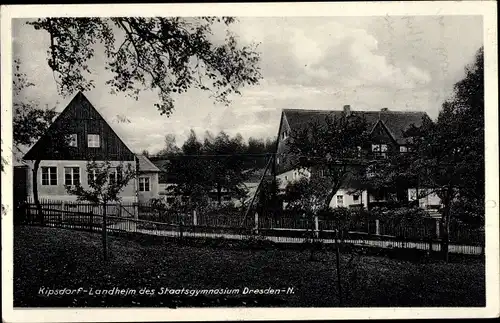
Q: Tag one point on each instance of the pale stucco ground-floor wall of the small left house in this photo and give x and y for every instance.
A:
(58, 192)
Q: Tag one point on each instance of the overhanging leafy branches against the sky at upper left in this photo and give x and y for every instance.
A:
(166, 55)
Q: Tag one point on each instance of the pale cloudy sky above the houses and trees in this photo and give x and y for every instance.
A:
(405, 63)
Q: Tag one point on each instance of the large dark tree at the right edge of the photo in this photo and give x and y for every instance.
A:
(447, 156)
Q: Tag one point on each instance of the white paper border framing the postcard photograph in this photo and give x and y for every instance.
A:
(485, 8)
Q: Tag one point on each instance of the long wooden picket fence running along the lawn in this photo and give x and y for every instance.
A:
(291, 229)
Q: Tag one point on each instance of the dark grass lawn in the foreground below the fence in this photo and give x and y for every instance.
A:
(54, 258)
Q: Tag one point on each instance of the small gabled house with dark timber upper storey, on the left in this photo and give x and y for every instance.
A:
(63, 162)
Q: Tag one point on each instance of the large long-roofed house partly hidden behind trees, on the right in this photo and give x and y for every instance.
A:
(386, 128)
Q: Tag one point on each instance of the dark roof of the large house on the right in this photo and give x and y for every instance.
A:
(396, 122)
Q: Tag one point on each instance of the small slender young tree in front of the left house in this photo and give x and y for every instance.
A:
(105, 184)
